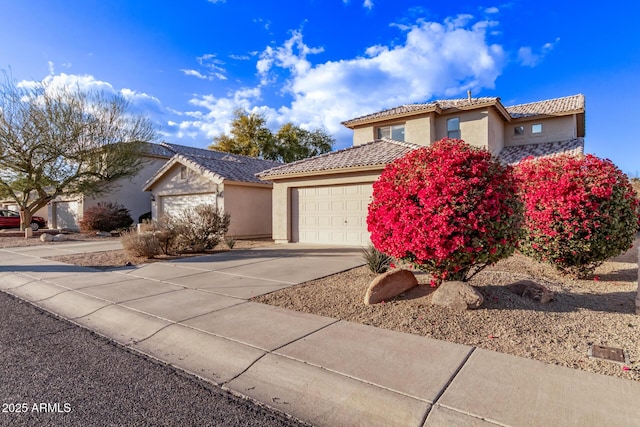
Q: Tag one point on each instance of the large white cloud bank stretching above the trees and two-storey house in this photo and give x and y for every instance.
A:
(432, 60)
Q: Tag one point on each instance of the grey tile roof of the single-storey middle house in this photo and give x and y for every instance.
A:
(233, 167)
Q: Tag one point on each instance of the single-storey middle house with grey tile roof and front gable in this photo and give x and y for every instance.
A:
(196, 176)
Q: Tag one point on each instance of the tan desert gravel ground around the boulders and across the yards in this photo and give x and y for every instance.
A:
(599, 311)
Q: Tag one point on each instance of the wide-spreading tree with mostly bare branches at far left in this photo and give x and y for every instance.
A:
(65, 141)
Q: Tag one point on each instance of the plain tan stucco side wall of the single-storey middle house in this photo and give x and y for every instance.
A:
(250, 210)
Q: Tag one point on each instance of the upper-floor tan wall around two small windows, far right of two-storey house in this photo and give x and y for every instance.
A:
(553, 129)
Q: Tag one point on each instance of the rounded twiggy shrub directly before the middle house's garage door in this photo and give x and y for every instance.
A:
(198, 228)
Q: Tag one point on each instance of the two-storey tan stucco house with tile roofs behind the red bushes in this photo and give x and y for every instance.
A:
(324, 199)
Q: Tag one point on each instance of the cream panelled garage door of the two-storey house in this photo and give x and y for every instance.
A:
(331, 214)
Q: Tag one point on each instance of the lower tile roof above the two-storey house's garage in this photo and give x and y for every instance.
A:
(378, 152)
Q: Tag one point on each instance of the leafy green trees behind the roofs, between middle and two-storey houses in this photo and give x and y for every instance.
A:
(251, 137)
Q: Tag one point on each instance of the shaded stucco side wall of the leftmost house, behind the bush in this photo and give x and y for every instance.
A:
(129, 192)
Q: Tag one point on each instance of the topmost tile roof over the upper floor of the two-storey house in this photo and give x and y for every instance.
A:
(567, 104)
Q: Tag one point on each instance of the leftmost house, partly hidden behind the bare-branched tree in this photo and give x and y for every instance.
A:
(66, 212)
